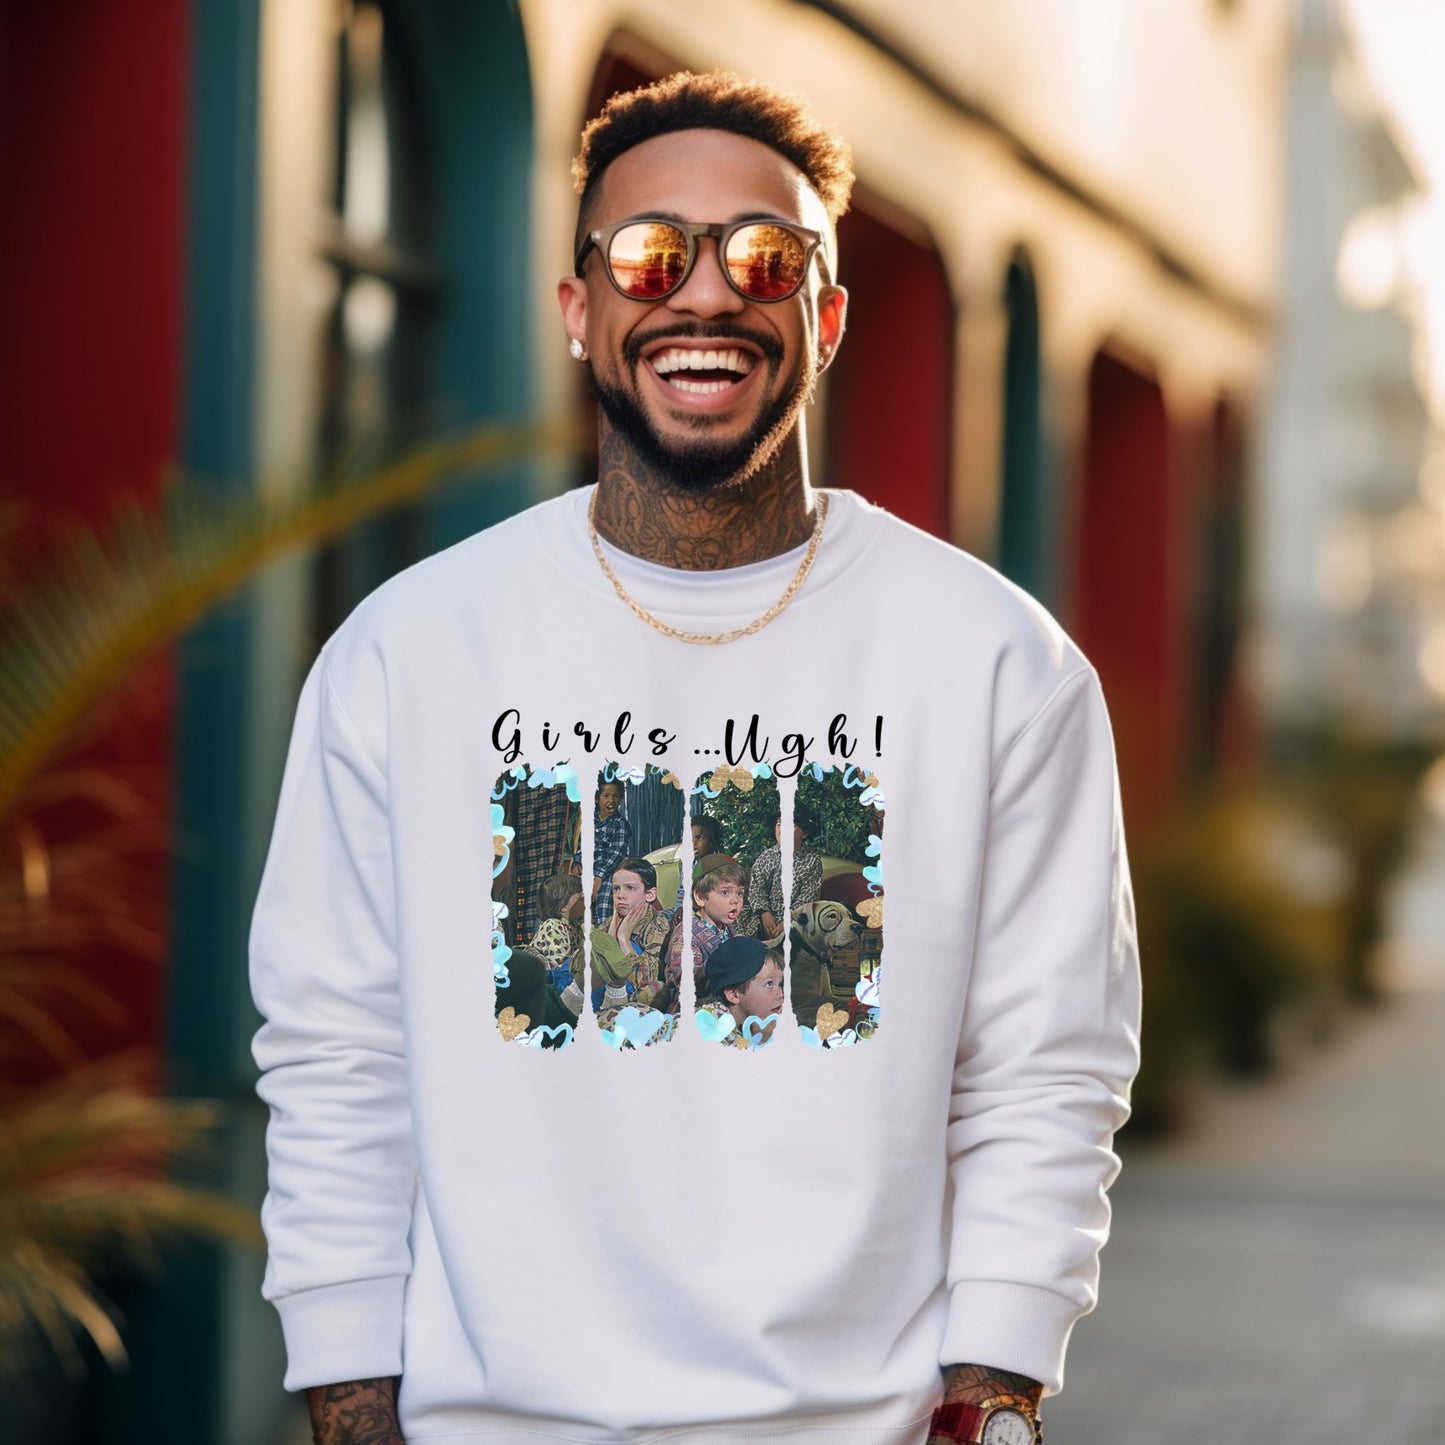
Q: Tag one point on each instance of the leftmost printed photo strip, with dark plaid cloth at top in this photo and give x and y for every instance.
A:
(537, 905)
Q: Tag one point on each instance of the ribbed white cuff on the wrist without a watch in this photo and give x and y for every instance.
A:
(343, 1333)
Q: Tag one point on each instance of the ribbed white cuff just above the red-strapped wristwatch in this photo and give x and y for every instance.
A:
(1009, 1327)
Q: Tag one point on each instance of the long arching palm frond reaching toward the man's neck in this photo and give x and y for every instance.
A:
(108, 600)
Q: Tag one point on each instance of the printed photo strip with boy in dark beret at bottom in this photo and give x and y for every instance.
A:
(735, 947)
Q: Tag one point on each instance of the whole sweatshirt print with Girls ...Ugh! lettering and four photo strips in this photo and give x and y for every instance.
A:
(782, 902)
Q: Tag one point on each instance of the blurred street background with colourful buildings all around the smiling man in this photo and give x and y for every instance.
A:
(1148, 310)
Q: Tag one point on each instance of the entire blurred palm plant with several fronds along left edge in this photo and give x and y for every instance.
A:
(85, 1161)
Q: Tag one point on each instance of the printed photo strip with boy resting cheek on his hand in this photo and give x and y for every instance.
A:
(637, 858)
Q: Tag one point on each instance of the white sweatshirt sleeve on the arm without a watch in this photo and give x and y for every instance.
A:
(324, 976)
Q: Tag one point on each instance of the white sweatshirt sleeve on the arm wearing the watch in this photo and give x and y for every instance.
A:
(1048, 1048)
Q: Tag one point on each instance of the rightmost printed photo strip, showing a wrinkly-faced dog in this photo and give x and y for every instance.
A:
(836, 904)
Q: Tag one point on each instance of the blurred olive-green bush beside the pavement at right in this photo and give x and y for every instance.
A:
(1261, 911)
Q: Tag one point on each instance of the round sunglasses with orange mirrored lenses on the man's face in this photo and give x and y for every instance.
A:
(650, 258)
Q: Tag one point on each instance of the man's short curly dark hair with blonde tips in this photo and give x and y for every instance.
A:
(716, 100)
